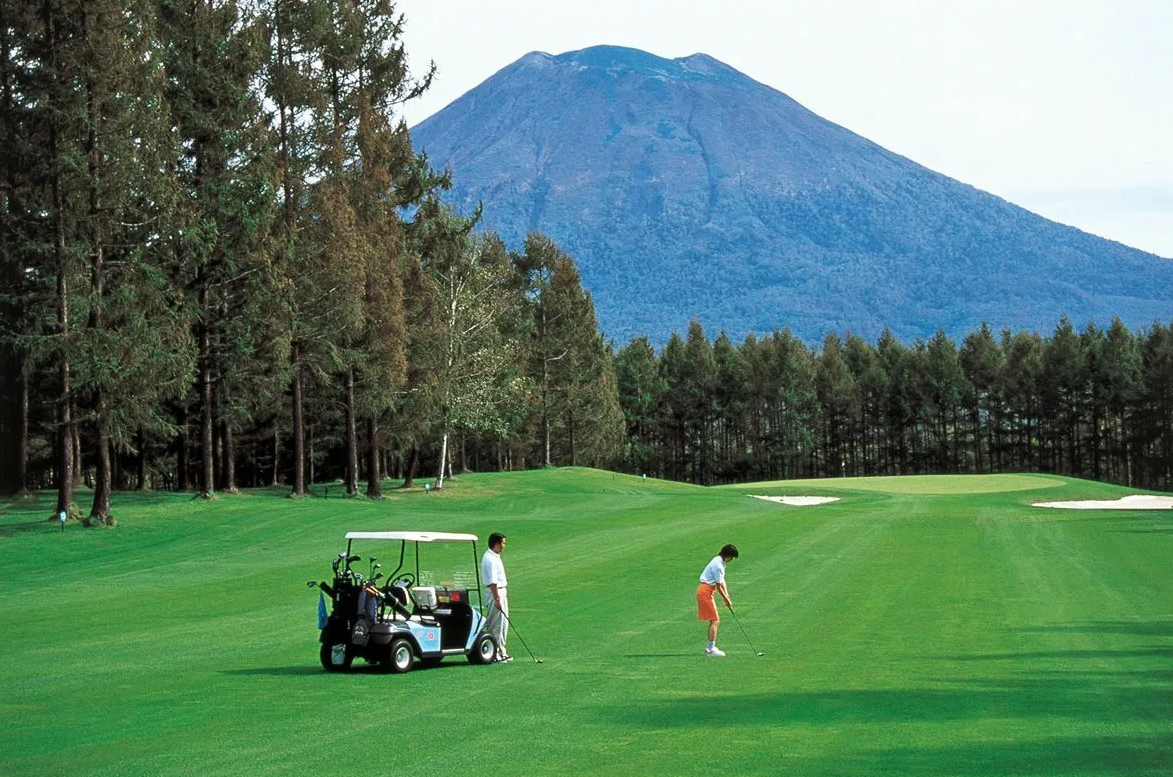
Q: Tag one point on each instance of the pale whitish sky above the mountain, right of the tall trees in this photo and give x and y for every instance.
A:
(1064, 107)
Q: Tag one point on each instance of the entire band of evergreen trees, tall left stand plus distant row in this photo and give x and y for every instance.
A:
(223, 265)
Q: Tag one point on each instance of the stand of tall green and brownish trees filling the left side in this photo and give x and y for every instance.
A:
(222, 263)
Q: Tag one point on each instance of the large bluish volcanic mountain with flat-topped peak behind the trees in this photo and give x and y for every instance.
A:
(686, 190)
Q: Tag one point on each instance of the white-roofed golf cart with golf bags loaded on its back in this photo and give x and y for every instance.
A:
(418, 614)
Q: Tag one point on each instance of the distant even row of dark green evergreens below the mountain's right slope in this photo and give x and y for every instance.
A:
(1091, 404)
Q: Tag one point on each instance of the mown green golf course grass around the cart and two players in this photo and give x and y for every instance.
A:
(919, 626)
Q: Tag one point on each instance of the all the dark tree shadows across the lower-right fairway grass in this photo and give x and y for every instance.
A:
(1093, 690)
